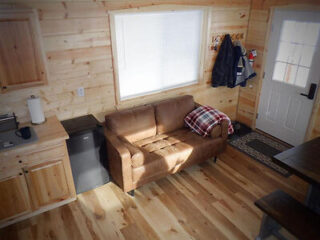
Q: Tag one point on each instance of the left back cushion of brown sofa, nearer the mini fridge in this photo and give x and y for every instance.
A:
(133, 124)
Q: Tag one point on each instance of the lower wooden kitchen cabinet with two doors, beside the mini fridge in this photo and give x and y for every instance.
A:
(37, 177)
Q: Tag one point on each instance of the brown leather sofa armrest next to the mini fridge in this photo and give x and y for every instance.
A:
(119, 159)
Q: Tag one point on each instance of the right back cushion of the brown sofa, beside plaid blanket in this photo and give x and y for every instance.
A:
(170, 113)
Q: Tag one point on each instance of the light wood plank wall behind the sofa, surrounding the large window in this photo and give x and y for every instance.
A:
(76, 38)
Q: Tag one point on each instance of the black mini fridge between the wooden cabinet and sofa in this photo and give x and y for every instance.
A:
(87, 152)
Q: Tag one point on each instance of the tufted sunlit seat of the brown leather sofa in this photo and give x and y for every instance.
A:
(163, 152)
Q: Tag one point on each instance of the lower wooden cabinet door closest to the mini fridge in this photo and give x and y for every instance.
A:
(47, 183)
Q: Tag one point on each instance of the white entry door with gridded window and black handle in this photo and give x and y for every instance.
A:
(293, 64)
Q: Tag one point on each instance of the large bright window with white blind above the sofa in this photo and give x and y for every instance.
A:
(157, 50)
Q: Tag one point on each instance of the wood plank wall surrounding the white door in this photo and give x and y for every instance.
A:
(257, 39)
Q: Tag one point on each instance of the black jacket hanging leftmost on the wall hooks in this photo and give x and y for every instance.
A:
(223, 70)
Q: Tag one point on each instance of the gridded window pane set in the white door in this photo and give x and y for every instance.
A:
(298, 42)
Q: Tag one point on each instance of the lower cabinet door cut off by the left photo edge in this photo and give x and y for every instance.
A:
(14, 198)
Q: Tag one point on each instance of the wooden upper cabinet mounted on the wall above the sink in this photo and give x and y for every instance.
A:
(22, 59)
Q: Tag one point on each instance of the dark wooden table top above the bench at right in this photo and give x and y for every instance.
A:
(303, 161)
